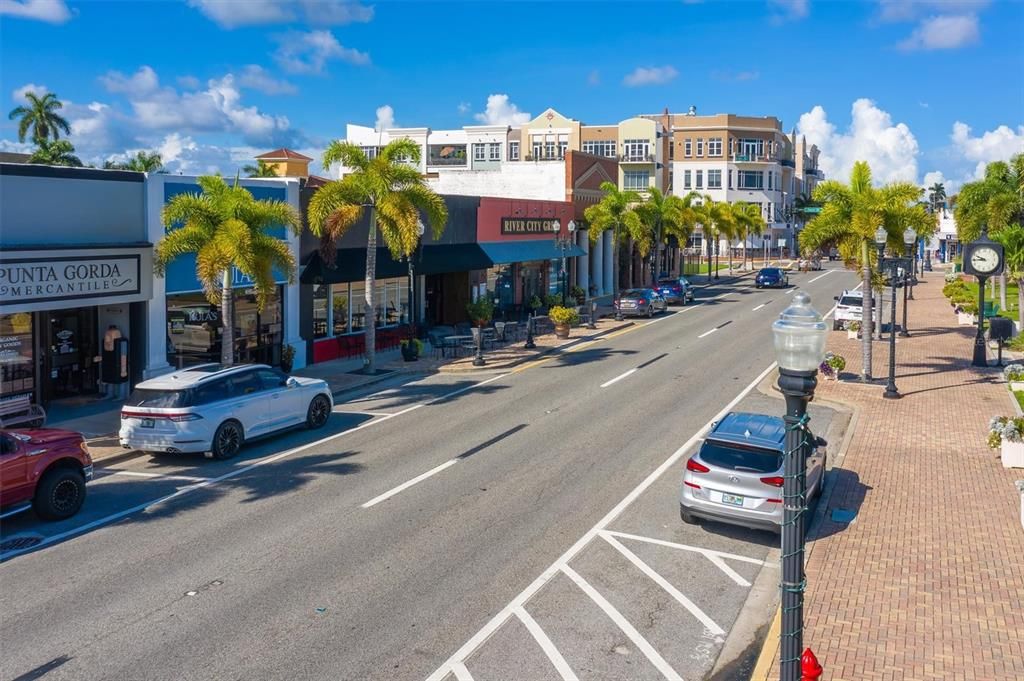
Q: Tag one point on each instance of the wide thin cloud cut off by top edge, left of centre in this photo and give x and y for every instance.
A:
(233, 14)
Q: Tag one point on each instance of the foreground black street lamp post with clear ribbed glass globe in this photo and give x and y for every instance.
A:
(799, 336)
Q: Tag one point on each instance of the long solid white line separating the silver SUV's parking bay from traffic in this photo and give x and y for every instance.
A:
(501, 617)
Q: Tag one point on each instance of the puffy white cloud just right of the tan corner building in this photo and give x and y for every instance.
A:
(890, 150)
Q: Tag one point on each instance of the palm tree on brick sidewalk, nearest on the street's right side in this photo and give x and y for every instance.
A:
(848, 220)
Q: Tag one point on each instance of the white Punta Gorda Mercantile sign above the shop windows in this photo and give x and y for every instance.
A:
(39, 280)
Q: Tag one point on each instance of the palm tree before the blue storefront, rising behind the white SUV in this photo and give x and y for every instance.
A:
(227, 229)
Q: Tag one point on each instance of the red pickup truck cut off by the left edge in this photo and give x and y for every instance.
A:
(46, 470)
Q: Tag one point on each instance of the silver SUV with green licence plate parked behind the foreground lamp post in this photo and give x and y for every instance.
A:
(737, 476)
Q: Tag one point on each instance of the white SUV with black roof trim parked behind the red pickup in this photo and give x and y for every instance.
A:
(215, 409)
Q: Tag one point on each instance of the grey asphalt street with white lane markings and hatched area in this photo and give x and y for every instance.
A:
(446, 528)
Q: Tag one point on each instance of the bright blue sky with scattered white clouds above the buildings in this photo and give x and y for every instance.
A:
(916, 88)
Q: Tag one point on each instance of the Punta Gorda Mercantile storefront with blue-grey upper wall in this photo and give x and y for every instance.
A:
(76, 275)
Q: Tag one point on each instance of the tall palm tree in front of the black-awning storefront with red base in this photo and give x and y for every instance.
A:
(394, 193)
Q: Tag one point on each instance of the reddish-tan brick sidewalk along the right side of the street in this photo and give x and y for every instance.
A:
(928, 583)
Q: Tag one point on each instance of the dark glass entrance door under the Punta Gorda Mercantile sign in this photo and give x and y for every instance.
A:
(70, 345)
